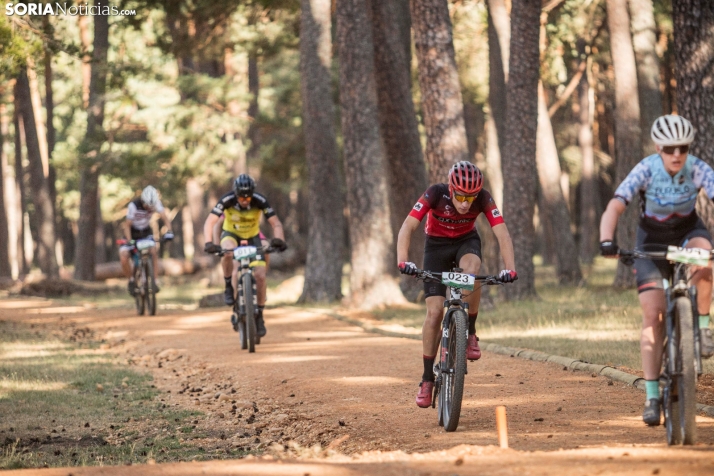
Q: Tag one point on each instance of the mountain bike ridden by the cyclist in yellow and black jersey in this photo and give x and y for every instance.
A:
(244, 307)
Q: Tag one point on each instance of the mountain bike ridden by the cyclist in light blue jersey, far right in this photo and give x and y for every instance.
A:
(682, 359)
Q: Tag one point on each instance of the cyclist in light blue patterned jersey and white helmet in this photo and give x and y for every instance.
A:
(668, 183)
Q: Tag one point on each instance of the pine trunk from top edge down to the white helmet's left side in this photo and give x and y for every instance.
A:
(644, 40)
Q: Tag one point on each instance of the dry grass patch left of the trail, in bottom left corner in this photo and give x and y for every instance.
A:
(67, 403)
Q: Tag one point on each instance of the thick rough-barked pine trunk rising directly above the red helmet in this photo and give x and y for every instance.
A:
(440, 89)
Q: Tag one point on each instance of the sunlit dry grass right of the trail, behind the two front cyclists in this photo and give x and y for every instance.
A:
(594, 322)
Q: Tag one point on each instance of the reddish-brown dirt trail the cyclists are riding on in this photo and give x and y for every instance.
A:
(318, 380)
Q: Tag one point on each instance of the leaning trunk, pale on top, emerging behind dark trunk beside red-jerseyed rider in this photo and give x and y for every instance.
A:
(553, 201)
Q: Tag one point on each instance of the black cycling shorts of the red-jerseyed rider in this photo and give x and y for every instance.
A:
(443, 254)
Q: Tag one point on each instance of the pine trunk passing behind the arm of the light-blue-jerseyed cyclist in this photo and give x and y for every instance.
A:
(628, 142)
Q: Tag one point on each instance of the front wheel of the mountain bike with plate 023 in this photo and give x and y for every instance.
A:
(452, 390)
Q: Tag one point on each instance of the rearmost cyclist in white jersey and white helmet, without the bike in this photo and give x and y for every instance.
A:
(137, 226)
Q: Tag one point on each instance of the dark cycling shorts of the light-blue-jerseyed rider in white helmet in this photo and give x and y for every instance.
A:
(649, 273)
